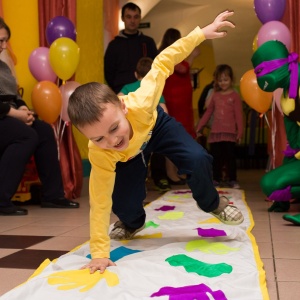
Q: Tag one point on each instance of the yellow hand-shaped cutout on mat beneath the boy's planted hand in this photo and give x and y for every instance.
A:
(73, 279)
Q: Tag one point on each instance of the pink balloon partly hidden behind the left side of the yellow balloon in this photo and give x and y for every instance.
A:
(39, 65)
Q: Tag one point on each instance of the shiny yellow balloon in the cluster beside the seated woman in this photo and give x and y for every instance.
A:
(64, 57)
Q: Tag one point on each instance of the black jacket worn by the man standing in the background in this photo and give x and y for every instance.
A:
(122, 55)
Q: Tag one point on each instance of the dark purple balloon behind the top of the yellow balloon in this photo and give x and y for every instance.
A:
(60, 27)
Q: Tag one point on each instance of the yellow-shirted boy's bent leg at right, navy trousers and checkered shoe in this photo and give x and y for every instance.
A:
(170, 138)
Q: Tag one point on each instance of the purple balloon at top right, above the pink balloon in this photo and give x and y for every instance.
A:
(269, 10)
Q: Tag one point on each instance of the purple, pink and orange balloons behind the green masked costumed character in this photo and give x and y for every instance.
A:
(269, 12)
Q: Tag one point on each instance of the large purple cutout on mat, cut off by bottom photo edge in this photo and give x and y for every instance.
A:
(191, 292)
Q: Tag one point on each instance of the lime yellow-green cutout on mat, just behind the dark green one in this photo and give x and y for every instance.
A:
(209, 247)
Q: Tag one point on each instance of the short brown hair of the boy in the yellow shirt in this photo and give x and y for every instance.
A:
(86, 103)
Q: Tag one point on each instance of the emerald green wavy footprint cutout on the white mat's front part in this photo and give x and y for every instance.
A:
(192, 265)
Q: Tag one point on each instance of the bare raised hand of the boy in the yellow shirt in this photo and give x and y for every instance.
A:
(213, 30)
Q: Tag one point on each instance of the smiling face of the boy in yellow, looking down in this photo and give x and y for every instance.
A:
(113, 131)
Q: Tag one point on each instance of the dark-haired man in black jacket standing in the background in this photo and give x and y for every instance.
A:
(123, 53)
